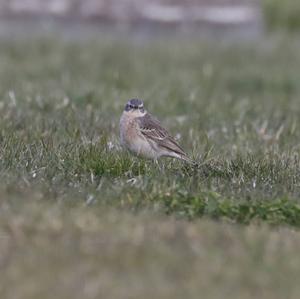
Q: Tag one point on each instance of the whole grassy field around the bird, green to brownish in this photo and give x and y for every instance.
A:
(82, 218)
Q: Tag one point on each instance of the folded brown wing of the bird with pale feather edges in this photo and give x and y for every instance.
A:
(152, 129)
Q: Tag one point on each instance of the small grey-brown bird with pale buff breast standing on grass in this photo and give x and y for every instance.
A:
(144, 136)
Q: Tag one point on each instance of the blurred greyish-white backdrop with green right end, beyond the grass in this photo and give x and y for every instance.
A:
(246, 19)
